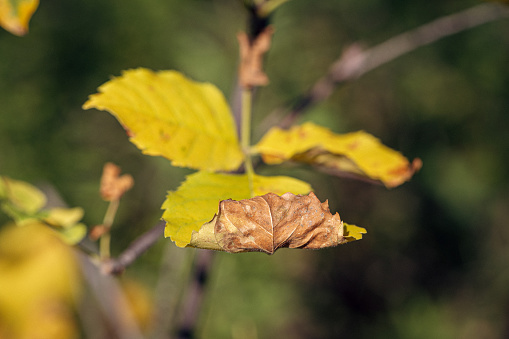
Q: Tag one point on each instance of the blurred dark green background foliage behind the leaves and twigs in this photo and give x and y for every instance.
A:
(434, 263)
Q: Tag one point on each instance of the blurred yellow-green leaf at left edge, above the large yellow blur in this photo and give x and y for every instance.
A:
(20, 200)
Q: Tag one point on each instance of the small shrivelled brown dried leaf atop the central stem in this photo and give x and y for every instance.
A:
(251, 58)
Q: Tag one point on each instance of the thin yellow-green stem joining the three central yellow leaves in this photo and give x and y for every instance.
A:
(247, 98)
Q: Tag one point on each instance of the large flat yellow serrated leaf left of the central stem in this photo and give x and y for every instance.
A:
(169, 115)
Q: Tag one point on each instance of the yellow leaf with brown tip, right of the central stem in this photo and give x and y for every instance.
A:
(356, 154)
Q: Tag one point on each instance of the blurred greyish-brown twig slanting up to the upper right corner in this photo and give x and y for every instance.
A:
(355, 62)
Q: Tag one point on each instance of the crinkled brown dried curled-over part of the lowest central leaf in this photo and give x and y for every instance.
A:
(269, 222)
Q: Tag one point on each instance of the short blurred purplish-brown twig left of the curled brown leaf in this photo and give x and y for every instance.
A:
(137, 248)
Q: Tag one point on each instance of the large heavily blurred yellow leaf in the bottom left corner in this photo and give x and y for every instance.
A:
(38, 285)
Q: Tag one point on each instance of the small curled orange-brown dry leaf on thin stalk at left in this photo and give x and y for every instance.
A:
(113, 186)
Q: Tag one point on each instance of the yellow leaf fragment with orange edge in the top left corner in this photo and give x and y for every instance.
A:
(15, 15)
